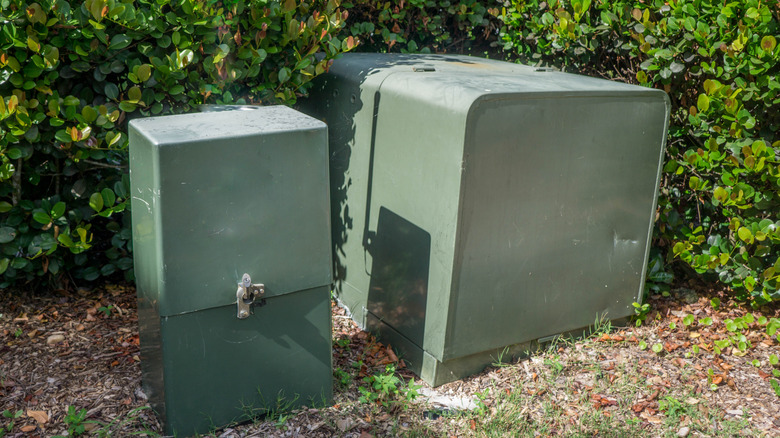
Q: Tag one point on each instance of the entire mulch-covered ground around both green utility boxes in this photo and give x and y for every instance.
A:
(81, 351)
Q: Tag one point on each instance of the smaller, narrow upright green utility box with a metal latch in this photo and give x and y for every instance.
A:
(215, 196)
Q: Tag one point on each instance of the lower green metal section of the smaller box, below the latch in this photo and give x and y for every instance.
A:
(207, 369)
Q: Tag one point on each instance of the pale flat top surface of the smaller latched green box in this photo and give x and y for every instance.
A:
(186, 128)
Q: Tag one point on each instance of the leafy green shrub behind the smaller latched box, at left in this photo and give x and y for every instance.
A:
(73, 72)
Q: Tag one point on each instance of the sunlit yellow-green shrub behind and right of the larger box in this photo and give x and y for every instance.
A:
(720, 198)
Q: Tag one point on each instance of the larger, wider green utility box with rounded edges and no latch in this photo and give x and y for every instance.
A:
(478, 205)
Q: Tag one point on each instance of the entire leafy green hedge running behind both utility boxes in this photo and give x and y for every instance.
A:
(78, 72)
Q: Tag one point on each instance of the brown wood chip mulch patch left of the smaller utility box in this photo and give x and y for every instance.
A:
(79, 350)
